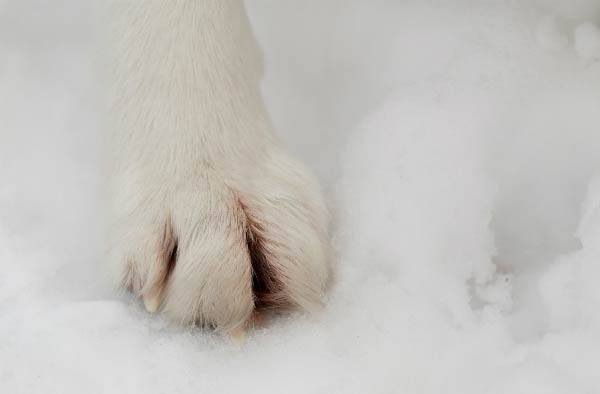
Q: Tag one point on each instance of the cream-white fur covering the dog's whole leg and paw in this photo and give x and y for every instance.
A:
(196, 168)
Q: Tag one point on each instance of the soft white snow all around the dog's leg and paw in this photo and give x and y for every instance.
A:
(459, 145)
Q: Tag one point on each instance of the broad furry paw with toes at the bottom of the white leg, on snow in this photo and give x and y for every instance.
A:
(212, 247)
